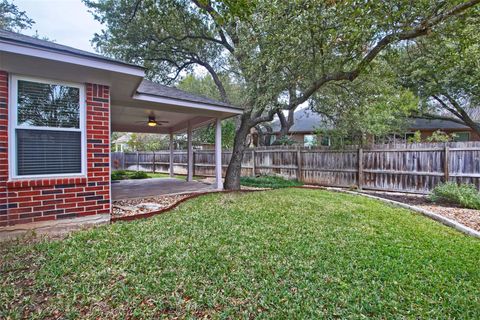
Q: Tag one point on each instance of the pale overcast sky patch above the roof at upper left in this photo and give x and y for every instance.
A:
(67, 22)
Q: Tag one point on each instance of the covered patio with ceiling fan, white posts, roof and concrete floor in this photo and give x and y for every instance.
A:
(158, 109)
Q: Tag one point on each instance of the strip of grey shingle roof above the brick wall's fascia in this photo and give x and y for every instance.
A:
(10, 36)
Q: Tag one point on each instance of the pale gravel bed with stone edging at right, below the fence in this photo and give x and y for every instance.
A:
(467, 217)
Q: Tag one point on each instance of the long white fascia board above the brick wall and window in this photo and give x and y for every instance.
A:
(72, 58)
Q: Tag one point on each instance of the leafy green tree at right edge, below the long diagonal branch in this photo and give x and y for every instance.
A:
(444, 70)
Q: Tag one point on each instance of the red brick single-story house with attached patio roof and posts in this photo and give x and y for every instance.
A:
(58, 107)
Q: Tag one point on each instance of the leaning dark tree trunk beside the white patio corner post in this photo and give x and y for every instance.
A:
(234, 170)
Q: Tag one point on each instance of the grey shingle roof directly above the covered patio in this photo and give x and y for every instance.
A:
(159, 90)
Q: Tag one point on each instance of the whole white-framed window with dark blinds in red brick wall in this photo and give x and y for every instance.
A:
(48, 130)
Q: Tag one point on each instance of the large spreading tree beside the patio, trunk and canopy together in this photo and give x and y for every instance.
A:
(282, 52)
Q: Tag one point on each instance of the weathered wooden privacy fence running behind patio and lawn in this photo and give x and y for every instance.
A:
(414, 168)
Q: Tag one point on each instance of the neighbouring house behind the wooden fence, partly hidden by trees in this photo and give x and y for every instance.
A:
(306, 122)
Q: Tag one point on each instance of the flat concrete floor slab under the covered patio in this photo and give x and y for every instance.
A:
(130, 189)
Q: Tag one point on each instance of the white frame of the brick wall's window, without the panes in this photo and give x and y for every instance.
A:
(13, 126)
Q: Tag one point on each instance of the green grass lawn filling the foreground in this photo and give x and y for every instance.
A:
(287, 253)
